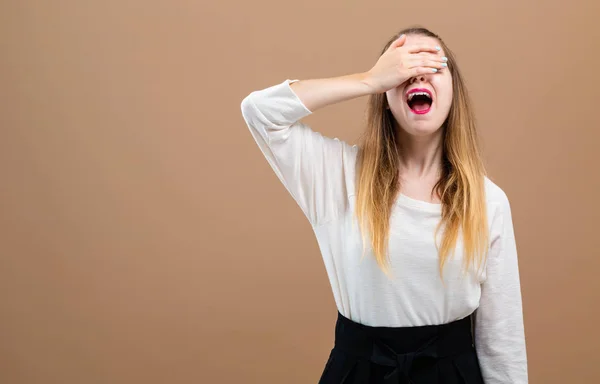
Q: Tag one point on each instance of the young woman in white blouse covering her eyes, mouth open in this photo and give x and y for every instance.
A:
(418, 243)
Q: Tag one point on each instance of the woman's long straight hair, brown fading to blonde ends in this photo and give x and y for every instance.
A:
(460, 187)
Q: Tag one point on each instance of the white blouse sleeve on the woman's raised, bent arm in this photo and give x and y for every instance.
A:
(311, 166)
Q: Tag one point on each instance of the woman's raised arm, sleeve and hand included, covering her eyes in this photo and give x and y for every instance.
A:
(314, 168)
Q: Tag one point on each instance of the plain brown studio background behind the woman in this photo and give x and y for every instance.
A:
(144, 239)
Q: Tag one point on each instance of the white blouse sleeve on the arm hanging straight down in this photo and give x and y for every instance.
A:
(499, 329)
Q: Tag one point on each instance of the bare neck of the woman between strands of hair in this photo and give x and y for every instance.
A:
(420, 156)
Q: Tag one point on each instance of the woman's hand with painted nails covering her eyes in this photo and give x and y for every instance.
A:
(399, 63)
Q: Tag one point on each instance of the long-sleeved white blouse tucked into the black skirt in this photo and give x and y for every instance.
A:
(319, 172)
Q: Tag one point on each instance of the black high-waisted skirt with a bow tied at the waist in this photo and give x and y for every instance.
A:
(433, 354)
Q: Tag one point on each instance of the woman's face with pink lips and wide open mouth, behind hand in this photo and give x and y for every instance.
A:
(416, 114)
